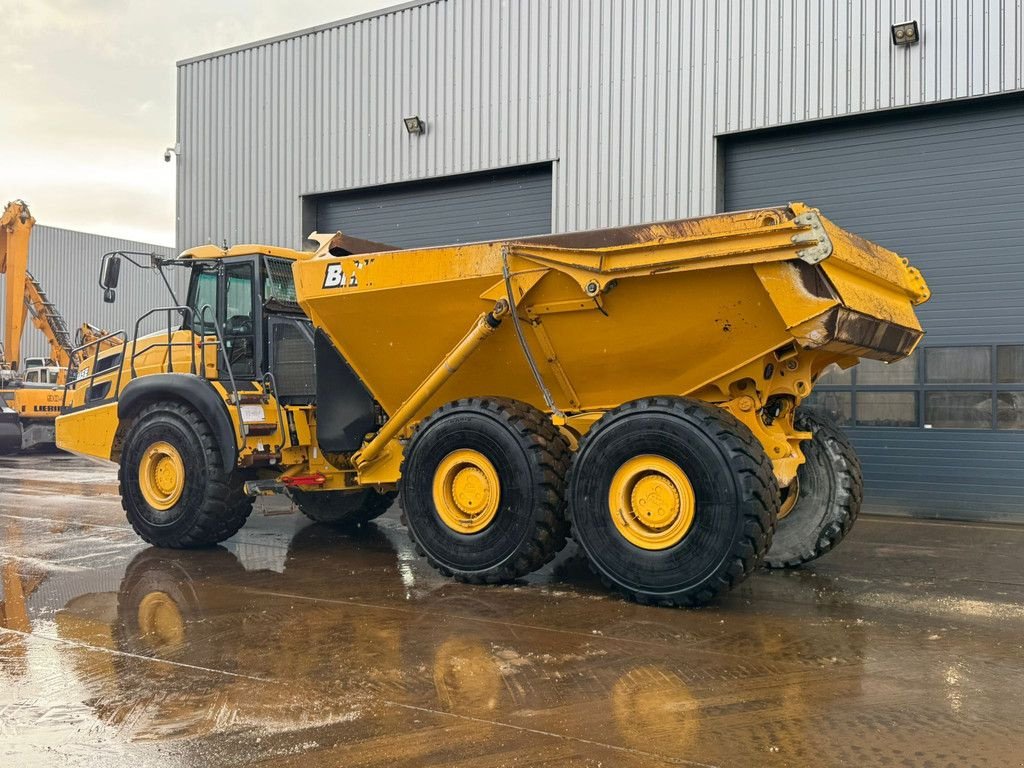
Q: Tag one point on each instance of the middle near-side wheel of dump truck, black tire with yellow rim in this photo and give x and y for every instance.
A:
(518, 485)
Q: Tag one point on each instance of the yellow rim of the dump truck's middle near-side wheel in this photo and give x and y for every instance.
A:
(466, 491)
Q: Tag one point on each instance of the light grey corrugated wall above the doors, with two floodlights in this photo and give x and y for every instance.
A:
(627, 96)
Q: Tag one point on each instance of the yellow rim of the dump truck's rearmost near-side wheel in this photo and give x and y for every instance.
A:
(652, 502)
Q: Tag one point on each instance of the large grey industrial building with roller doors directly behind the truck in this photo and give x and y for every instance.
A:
(461, 120)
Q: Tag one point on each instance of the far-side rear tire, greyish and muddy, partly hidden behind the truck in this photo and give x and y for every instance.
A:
(831, 489)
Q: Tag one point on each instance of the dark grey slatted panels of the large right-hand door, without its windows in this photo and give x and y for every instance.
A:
(942, 187)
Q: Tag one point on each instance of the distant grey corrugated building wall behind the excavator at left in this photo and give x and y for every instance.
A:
(67, 265)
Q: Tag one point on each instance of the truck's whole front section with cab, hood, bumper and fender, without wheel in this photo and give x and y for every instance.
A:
(237, 350)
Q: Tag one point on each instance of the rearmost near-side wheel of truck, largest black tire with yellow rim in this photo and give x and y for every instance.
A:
(718, 483)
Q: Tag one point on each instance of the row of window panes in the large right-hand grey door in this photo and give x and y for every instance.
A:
(942, 388)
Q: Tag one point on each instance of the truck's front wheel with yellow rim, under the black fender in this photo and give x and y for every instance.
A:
(175, 489)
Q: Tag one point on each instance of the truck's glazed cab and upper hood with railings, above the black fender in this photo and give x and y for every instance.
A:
(240, 324)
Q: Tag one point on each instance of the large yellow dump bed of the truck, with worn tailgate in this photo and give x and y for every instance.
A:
(612, 316)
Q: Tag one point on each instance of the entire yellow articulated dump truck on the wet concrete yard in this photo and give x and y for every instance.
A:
(636, 389)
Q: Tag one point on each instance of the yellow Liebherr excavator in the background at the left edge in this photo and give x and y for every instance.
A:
(30, 388)
